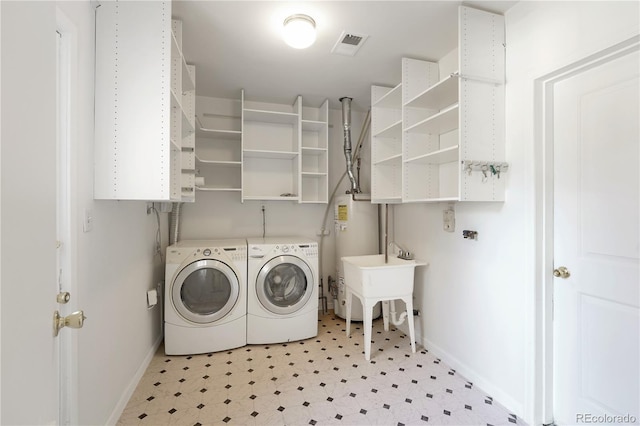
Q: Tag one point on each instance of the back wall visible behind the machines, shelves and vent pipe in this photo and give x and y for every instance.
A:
(222, 215)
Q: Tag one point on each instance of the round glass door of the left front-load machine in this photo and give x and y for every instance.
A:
(205, 291)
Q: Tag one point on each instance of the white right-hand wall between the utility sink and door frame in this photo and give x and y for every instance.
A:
(477, 297)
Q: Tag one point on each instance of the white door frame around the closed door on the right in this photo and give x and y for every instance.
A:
(544, 87)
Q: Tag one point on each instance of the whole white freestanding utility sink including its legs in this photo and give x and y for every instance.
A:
(373, 280)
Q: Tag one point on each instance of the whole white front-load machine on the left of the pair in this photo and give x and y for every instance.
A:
(205, 296)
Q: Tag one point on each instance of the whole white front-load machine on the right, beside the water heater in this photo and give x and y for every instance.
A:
(282, 299)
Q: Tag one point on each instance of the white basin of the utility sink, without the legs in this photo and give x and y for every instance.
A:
(370, 276)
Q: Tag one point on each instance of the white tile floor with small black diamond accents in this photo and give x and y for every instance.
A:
(319, 381)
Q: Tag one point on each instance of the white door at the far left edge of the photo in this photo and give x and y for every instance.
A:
(29, 371)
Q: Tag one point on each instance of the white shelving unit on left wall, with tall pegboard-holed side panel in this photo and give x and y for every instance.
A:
(144, 143)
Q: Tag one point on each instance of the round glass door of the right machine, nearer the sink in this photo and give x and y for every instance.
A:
(284, 284)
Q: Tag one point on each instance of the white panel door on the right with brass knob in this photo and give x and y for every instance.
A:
(596, 237)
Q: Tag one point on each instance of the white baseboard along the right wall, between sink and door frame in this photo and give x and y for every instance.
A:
(474, 377)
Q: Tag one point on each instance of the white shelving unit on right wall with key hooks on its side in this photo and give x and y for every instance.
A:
(451, 117)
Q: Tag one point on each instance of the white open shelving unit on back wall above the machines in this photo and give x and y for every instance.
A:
(263, 151)
